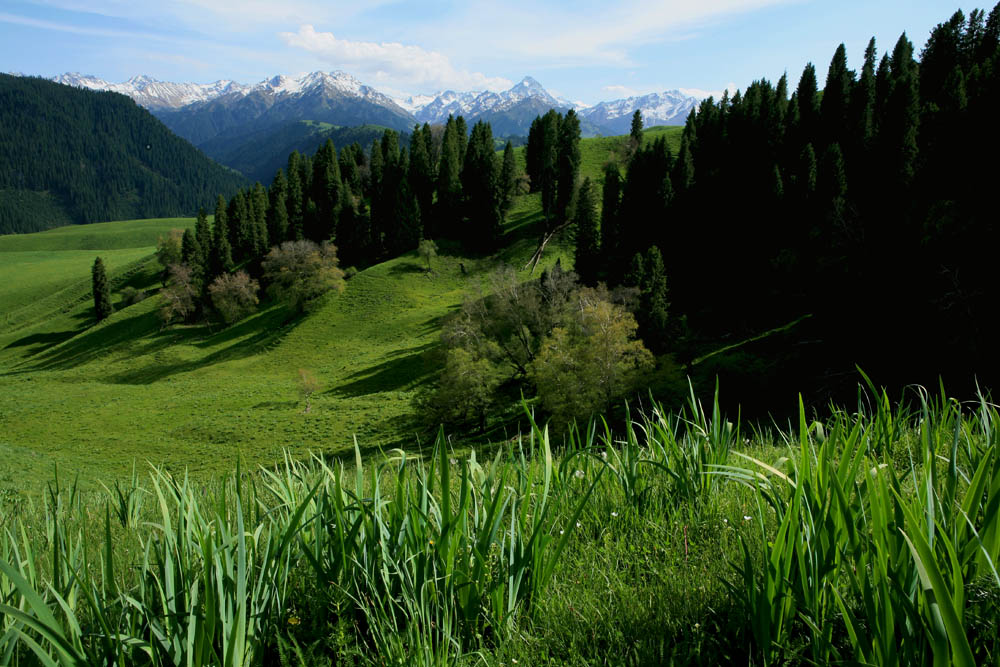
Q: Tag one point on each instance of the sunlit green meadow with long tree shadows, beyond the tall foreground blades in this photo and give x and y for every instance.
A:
(94, 399)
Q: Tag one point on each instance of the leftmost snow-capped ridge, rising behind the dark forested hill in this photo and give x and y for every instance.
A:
(154, 94)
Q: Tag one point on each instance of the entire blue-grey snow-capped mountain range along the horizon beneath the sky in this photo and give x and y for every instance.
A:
(222, 117)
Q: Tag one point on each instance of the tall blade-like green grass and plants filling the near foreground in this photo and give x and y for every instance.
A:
(870, 536)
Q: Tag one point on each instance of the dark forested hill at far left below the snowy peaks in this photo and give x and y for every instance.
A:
(76, 156)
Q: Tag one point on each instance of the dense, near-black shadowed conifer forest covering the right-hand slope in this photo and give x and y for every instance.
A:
(866, 203)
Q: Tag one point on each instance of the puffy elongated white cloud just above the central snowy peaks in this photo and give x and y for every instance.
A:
(399, 65)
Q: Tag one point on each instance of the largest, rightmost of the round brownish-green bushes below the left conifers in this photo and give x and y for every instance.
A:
(300, 272)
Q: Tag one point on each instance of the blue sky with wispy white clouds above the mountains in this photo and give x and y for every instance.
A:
(583, 50)
